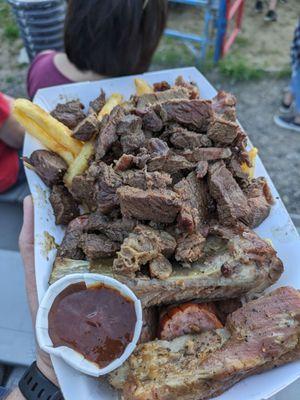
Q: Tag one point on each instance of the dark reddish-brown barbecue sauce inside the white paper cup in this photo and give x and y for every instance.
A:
(97, 322)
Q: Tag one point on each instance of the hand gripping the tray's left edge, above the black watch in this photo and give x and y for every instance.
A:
(26, 244)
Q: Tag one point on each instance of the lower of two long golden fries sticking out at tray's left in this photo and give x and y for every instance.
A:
(39, 133)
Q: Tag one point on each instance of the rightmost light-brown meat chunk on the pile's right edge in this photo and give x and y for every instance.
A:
(259, 201)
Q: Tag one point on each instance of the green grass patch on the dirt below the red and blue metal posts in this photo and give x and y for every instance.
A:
(237, 68)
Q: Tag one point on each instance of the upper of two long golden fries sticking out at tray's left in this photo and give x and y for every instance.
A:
(58, 131)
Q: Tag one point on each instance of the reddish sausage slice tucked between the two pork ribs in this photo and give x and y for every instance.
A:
(187, 318)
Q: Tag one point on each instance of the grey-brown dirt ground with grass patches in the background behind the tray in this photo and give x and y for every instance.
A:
(265, 45)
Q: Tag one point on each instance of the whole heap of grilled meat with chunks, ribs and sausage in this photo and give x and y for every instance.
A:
(166, 207)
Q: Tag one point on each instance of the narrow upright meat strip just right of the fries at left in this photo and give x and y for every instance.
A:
(108, 132)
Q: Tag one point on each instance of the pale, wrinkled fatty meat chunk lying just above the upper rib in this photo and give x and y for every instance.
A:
(141, 246)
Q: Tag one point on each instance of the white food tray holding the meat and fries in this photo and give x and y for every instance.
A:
(278, 227)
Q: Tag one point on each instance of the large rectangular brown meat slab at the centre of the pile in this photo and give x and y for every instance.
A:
(158, 205)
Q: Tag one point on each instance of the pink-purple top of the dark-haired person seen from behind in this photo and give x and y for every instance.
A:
(43, 73)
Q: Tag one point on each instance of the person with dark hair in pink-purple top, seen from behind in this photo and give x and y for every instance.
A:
(103, 38)
